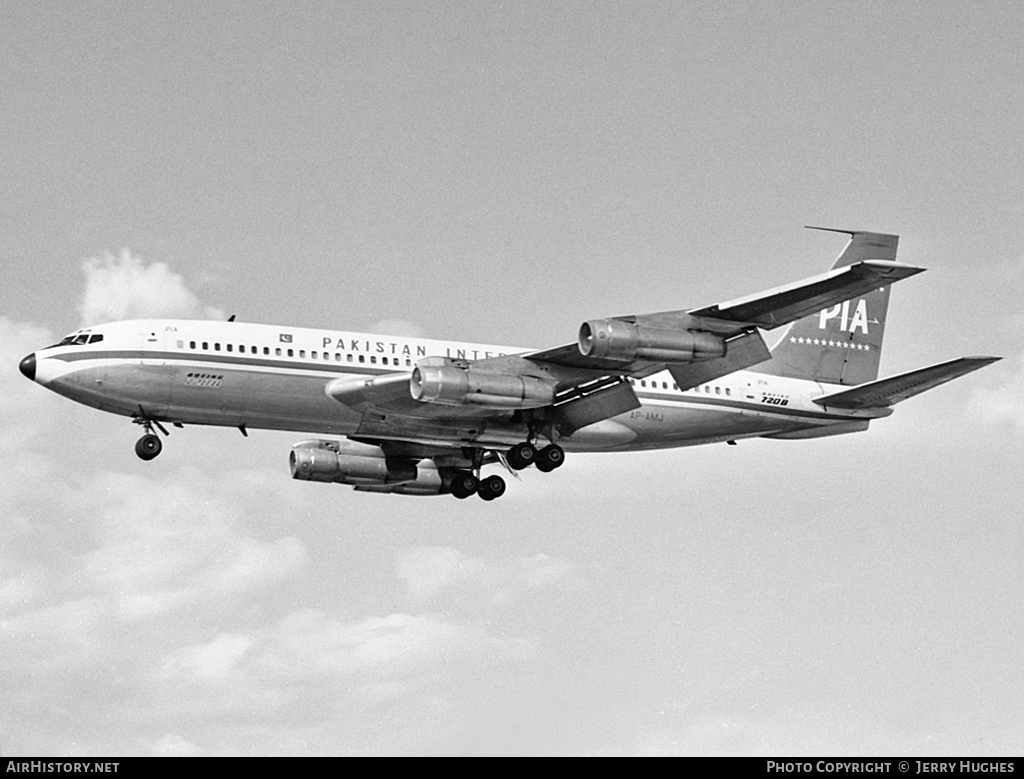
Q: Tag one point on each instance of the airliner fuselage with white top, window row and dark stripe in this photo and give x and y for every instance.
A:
(271, 377)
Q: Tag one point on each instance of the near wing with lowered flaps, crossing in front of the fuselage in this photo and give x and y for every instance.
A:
(584, 384)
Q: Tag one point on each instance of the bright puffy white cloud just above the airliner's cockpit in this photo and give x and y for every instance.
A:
(124, 288)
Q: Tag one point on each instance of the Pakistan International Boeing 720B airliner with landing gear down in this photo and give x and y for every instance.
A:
(423, 417)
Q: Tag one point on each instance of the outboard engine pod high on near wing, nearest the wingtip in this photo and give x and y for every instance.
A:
(617, 339)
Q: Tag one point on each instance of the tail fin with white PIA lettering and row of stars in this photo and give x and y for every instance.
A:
(841, 344)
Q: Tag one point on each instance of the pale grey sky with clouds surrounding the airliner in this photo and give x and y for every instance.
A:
(499, 174)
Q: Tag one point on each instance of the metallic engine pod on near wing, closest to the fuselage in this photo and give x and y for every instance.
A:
(441, 380)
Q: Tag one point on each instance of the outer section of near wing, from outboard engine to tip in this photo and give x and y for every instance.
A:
(795, 301)
